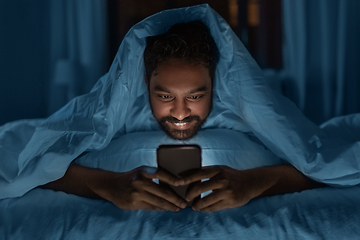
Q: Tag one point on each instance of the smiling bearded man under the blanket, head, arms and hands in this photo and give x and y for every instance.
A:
(180, 74)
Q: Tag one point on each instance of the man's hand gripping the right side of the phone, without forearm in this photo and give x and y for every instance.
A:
(230, 188)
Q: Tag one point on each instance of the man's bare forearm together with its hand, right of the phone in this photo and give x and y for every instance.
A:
(233, 188)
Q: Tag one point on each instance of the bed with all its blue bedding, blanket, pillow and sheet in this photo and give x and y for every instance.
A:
(112, 128)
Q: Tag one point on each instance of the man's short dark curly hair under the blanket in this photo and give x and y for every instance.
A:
(190, 42)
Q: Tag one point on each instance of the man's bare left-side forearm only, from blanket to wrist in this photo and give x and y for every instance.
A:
(79, 180)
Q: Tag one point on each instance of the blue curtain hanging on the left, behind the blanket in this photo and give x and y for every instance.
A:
(78, 48)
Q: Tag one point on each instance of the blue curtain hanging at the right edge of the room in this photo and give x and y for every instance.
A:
(321, 55)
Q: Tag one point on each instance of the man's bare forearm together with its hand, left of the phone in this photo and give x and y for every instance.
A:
(131, 190)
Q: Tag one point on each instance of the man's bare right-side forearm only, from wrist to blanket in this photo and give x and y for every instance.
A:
(285, 179)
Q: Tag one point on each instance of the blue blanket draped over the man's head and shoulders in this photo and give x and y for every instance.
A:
(118, 105)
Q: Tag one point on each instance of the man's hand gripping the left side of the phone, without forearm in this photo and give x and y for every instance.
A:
(136, 190)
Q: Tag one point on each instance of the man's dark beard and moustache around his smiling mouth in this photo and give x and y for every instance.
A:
(181, 134)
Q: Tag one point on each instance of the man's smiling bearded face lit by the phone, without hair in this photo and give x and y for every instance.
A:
(180, 97)
